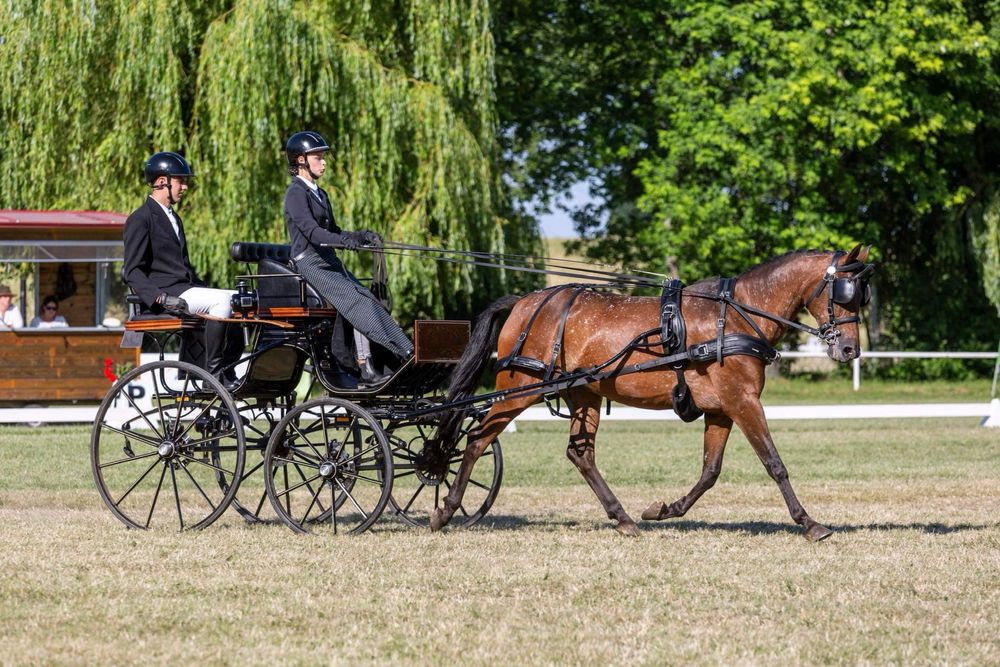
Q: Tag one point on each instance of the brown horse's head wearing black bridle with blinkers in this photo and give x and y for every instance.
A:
(837, 299)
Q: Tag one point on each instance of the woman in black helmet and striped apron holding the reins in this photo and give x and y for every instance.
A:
(311, 230)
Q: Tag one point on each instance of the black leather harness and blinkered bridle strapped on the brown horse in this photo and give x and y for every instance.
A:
(851, 292)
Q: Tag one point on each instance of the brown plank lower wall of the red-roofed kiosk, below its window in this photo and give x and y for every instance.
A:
(43, 365)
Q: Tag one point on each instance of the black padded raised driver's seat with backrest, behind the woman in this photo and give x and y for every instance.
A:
(279, 286)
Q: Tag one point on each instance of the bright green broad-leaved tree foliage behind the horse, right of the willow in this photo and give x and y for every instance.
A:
(751, 128)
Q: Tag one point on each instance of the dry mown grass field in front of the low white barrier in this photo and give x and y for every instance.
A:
(911, 575)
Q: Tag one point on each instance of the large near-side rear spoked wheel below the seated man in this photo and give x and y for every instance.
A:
(164, 434)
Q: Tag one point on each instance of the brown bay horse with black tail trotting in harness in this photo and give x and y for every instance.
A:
(597, 326)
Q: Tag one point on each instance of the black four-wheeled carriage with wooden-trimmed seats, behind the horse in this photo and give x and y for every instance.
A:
(171, 443)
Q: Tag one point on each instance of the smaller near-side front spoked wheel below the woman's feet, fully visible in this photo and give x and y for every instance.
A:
(328, 468)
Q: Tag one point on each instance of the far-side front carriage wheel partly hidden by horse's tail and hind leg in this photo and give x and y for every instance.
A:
(425, 469)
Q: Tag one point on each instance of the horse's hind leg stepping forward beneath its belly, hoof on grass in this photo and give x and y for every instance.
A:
(586, 409)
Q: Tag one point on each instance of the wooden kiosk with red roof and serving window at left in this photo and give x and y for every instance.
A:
(76, 256)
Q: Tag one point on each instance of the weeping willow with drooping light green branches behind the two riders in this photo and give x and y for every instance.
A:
(403, 92)
